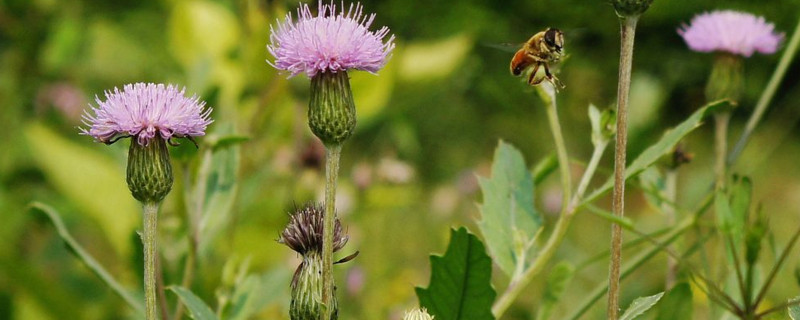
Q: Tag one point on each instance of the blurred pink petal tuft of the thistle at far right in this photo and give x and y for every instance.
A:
(731, 31)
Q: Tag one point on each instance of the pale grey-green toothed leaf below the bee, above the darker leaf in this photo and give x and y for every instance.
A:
(509, 222)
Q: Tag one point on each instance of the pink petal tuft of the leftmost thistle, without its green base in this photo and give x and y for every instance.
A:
(146, 111)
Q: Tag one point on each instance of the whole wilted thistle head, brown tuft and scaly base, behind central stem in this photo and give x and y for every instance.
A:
(304, 236)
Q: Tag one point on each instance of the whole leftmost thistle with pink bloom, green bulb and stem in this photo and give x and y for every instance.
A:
(152, 115)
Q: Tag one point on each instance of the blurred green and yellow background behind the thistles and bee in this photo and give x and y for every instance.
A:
(428, 123)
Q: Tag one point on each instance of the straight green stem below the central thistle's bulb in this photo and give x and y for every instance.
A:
(332, 153)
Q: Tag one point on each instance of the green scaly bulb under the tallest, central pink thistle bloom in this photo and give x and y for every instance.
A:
(331, 110)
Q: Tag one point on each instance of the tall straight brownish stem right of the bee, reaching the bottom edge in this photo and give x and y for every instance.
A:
(627, 35)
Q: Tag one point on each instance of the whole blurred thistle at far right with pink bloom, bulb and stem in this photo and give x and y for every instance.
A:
(732, 36)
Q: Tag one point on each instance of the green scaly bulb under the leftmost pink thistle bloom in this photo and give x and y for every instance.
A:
(149, 171)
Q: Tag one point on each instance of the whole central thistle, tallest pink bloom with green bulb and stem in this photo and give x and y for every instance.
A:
(325, 47)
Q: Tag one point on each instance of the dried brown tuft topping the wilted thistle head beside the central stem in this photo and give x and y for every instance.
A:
(303, 234)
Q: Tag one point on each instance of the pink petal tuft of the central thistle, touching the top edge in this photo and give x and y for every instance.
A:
(329, 42)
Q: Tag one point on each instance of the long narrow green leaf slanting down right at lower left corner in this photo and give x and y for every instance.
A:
(83, 255)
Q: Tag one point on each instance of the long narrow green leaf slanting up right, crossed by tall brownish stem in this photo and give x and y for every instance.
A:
(665, 145)
